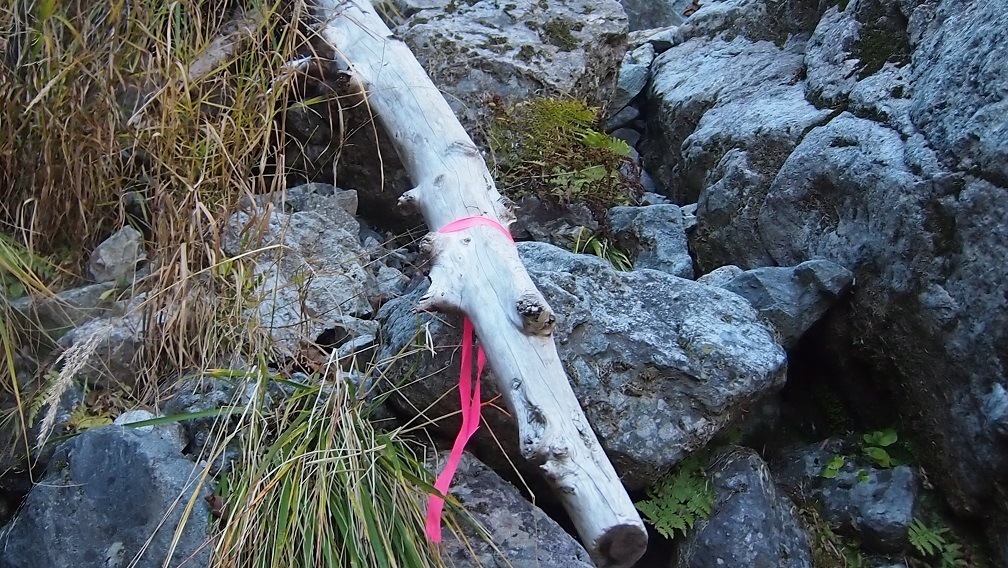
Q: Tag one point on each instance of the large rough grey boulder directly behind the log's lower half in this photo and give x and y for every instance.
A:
(660, 364)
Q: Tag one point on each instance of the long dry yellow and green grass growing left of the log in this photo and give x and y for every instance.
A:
(167, 116)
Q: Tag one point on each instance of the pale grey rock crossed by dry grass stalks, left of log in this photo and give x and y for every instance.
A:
(313, 270)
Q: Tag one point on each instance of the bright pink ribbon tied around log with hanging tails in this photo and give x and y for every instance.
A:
(469, 393)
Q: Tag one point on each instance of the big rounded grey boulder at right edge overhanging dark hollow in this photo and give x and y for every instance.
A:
(931, 308)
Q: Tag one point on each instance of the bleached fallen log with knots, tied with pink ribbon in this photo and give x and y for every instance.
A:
(477, 273)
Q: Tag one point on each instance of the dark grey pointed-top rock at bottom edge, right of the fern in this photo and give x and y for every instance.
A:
(752, 525)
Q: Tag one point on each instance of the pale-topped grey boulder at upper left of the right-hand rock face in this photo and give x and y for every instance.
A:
(713, 96)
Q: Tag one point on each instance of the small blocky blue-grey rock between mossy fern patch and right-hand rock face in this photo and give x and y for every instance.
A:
(655, 237)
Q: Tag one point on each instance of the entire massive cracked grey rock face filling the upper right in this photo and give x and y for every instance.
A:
(883, 150)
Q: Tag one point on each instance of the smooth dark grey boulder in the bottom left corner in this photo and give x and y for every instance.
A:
(103, 503)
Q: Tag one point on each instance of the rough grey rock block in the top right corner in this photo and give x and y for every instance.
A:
(959, 95)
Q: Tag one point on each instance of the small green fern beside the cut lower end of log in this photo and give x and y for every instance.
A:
(679, 500)
